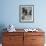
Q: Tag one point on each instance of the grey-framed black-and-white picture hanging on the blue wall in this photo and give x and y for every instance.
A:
(26, 13)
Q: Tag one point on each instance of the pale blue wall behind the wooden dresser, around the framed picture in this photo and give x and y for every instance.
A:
(10, 13)
